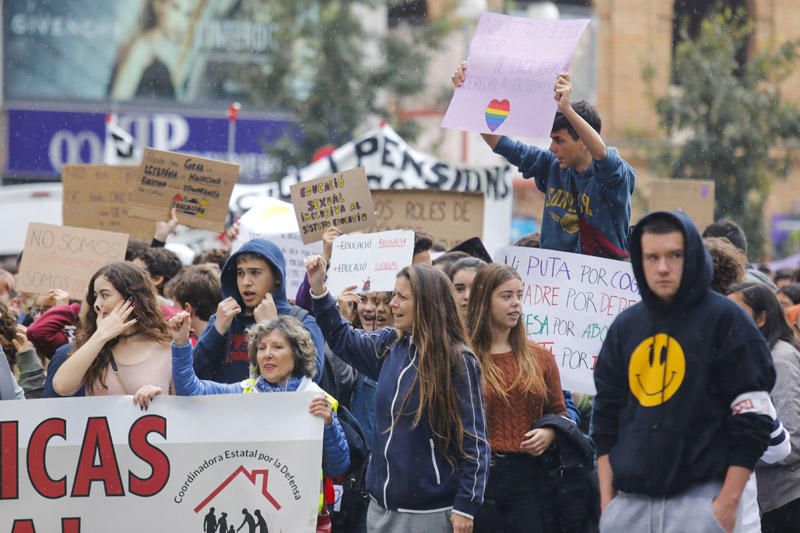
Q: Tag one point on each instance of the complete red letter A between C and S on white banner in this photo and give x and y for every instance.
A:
(97, 442)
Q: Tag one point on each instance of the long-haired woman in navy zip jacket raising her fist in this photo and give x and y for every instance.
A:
(429, 456)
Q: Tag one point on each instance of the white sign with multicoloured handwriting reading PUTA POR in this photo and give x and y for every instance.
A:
(568, 303)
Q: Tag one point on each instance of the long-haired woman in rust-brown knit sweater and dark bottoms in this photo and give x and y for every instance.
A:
(520, 384)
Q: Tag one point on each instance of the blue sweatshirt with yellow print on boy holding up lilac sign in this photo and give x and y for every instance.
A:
(601, 195)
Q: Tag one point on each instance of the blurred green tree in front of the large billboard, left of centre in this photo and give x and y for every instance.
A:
(321, 74)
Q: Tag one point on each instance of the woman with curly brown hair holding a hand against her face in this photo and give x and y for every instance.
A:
(123, 344)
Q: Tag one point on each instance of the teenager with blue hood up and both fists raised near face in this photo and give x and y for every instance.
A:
(253, 290)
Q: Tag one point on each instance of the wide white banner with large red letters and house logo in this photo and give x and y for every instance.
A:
(184, 463)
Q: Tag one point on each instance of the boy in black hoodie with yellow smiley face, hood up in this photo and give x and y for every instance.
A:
(681, 414)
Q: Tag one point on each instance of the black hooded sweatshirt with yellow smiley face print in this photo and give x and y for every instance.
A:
(663, 409)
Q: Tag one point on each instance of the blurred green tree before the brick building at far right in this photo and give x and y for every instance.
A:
(728, 120)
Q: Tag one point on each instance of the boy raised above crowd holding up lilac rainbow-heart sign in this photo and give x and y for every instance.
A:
(587, 186)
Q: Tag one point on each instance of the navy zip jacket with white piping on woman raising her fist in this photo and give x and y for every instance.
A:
(407, 471)
